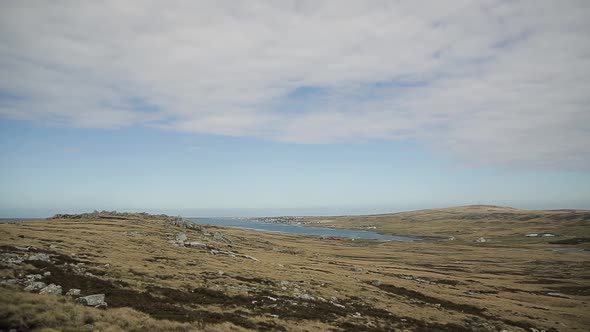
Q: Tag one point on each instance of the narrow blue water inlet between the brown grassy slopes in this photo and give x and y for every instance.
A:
(298, 229)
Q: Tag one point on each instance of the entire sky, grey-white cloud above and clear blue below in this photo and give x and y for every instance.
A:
(225, 108)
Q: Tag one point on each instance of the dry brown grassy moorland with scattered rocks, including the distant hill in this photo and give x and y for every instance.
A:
(244, 280)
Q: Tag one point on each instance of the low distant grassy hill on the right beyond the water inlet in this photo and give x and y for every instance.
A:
(469, 223)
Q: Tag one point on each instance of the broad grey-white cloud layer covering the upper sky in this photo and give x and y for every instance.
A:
(490, 82)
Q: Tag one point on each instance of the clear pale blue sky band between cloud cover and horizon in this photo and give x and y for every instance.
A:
(47, 170)
